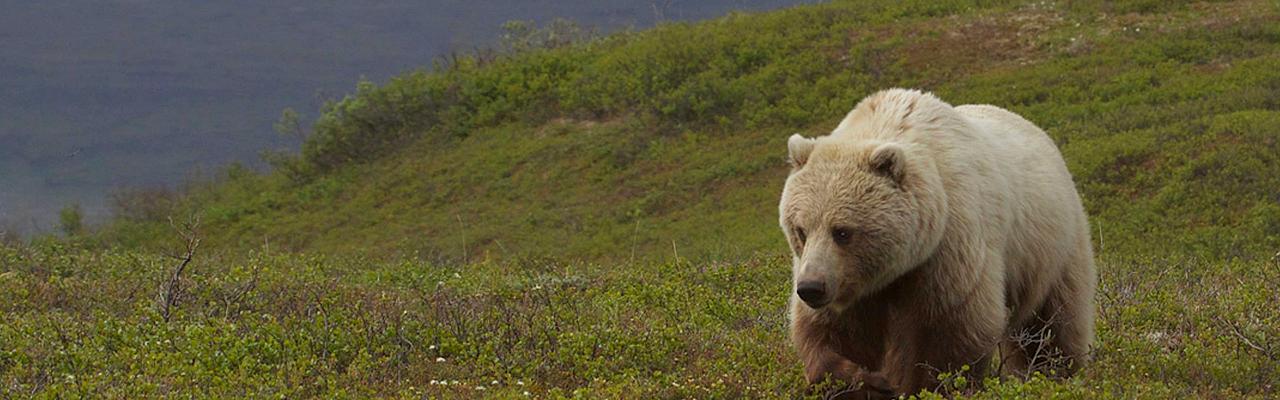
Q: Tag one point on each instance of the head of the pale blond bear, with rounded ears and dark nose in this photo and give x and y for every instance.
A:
(858, 215)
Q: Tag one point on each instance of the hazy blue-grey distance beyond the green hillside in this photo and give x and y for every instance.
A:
(97, 96)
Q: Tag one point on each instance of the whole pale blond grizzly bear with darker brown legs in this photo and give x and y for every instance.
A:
(925, 237)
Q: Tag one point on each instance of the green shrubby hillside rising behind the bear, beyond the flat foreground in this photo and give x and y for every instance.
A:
(676, 137)
